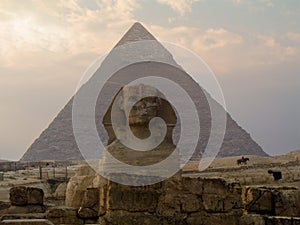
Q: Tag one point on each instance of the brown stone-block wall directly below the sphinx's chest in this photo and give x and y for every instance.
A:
(178, 200)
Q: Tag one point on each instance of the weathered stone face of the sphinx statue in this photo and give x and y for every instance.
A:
(142, 111)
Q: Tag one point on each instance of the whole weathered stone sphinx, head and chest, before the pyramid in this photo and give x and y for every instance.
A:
(131, 107)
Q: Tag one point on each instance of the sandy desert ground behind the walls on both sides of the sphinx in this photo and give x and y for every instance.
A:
(254, 173)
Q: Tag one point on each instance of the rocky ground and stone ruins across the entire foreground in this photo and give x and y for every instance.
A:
(73, 199)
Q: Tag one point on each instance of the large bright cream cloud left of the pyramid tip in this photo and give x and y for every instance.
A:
(65, 27)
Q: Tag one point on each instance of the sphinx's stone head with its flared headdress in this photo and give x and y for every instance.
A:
(137, 105)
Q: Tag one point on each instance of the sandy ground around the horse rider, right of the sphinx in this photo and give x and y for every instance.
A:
(256, 172)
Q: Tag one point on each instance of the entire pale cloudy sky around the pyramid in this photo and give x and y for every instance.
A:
(252, 46)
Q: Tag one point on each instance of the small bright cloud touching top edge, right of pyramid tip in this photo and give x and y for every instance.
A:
(180, 6)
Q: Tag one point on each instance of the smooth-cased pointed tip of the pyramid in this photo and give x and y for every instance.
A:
(137, 32)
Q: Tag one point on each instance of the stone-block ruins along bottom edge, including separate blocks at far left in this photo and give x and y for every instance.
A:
(178, 200)
